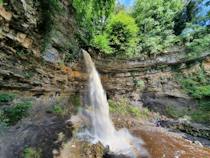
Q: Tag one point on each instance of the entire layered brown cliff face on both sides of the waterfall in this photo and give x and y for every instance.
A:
(34, 47)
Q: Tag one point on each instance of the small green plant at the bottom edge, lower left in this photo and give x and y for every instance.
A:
(32, 153)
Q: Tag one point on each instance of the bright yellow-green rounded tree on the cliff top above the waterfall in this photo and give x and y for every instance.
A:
(119, 37)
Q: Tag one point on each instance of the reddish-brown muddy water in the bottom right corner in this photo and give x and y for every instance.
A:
(163, 144)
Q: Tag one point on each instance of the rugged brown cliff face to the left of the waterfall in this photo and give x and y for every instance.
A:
(34, 42)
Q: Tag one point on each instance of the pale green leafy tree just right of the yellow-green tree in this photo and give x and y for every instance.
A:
(156, 22)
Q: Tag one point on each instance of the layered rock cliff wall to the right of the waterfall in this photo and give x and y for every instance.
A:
(152, 82)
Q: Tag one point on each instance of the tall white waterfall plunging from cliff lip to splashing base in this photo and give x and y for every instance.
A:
(101, 128)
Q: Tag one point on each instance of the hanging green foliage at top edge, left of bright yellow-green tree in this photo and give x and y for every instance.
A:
(92, 15)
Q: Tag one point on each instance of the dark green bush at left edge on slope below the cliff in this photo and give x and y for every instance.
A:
(11, 115)
